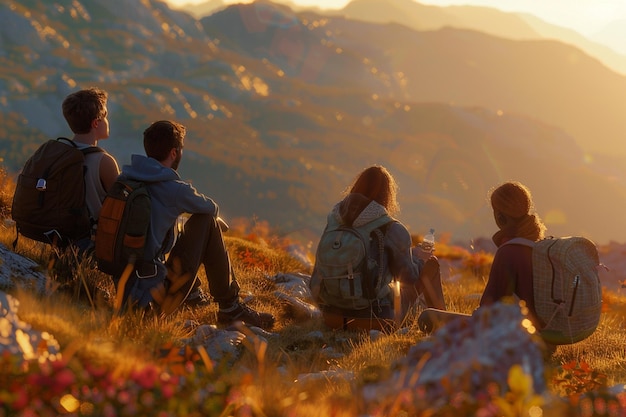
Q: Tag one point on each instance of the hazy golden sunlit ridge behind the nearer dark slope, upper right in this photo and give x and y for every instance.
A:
(462, 67)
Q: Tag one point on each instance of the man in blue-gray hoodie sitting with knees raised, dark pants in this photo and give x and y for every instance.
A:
(168, 283)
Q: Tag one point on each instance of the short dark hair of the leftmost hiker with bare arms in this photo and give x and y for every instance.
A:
(83, 107)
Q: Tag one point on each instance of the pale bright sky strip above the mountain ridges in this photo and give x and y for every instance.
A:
(585, 16)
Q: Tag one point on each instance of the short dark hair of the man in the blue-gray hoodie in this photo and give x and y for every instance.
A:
(160, 137)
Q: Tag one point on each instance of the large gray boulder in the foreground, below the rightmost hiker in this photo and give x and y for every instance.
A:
(471, 356)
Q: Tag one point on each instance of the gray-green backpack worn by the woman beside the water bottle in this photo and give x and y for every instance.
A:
(346, 274)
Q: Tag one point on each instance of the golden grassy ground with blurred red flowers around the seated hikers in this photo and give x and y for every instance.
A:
(136, 364)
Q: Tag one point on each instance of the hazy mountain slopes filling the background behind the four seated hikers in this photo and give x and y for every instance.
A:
(284, 108)
